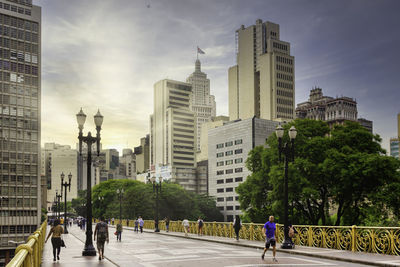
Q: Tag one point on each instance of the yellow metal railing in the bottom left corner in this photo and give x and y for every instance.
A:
(30, 253)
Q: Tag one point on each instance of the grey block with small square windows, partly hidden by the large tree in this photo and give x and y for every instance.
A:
(229, 146)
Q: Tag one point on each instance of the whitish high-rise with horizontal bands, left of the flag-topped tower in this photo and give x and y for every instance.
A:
(172, 137)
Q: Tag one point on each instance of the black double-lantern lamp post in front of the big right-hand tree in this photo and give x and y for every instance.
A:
(288, 150)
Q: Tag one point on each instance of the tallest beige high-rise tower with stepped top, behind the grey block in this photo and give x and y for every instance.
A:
(262, 82)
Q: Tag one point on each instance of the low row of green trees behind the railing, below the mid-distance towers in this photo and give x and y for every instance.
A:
(139, 200)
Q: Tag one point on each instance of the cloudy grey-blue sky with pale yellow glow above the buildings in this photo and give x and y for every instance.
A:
(108, 54)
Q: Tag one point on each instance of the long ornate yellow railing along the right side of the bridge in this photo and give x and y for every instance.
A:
(382, 240)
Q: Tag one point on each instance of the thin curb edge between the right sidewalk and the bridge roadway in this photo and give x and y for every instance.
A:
(293, 252)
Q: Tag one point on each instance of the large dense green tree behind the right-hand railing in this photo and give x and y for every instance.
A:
(339, 176)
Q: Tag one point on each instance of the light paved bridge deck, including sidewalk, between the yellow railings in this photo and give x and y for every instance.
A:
(173, 249)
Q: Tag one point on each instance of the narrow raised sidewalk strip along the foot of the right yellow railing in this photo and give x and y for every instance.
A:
(324, 253)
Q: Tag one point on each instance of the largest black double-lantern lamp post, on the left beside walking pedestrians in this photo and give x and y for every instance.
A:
(89, 249)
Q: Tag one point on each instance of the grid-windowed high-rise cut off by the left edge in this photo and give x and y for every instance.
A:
(20, 90)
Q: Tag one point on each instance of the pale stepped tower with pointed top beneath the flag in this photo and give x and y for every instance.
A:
(202, 103)
